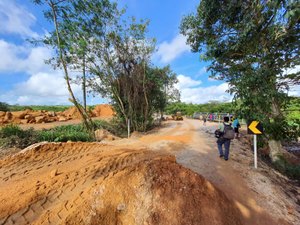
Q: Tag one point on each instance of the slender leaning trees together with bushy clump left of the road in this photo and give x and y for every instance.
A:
(91, 36)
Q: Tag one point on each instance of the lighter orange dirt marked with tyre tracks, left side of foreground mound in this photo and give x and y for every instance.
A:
(56, 178)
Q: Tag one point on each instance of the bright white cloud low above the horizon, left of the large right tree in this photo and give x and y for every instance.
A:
(192, 93)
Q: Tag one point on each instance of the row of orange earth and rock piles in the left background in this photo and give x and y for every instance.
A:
(43, 116)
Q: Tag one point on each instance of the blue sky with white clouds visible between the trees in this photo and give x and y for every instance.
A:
(25, 79)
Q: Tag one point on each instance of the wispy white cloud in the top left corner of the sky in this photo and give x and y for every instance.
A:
(14, 19)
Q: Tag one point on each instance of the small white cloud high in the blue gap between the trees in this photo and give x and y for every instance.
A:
(167, 52)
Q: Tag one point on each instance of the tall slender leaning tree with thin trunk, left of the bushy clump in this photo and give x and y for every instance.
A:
(76, 23)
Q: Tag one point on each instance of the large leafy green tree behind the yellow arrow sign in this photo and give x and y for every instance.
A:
(250, 45)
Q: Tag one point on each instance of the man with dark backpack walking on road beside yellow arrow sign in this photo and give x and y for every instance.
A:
(227, 134)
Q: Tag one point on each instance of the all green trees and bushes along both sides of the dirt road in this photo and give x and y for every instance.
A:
(250, 45)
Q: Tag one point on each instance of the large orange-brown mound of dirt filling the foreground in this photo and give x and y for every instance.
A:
(92, 183)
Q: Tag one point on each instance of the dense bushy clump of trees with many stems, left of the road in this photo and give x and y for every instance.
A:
(124, 74)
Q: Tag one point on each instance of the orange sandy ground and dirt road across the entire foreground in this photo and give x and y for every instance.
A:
(137, 181)
